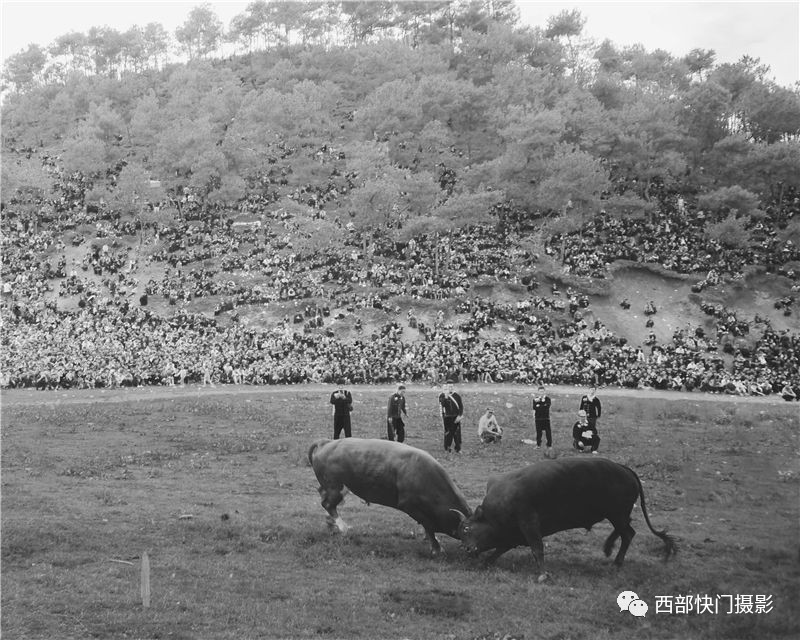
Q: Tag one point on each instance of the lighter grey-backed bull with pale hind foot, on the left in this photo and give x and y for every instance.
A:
(391, 474)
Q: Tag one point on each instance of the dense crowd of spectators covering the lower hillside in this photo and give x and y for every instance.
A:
(115, 335)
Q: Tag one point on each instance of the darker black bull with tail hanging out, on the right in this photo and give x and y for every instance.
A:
(523, 506)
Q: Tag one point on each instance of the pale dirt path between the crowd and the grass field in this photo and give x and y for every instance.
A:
(31, 397)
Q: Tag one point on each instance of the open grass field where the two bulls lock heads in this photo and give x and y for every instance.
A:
(216, 487)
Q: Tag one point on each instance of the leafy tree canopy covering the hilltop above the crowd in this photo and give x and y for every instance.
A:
(433, 110)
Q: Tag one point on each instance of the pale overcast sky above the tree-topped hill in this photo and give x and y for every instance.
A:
(766, 30)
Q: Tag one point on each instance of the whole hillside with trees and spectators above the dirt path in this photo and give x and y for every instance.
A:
(475, 206)
